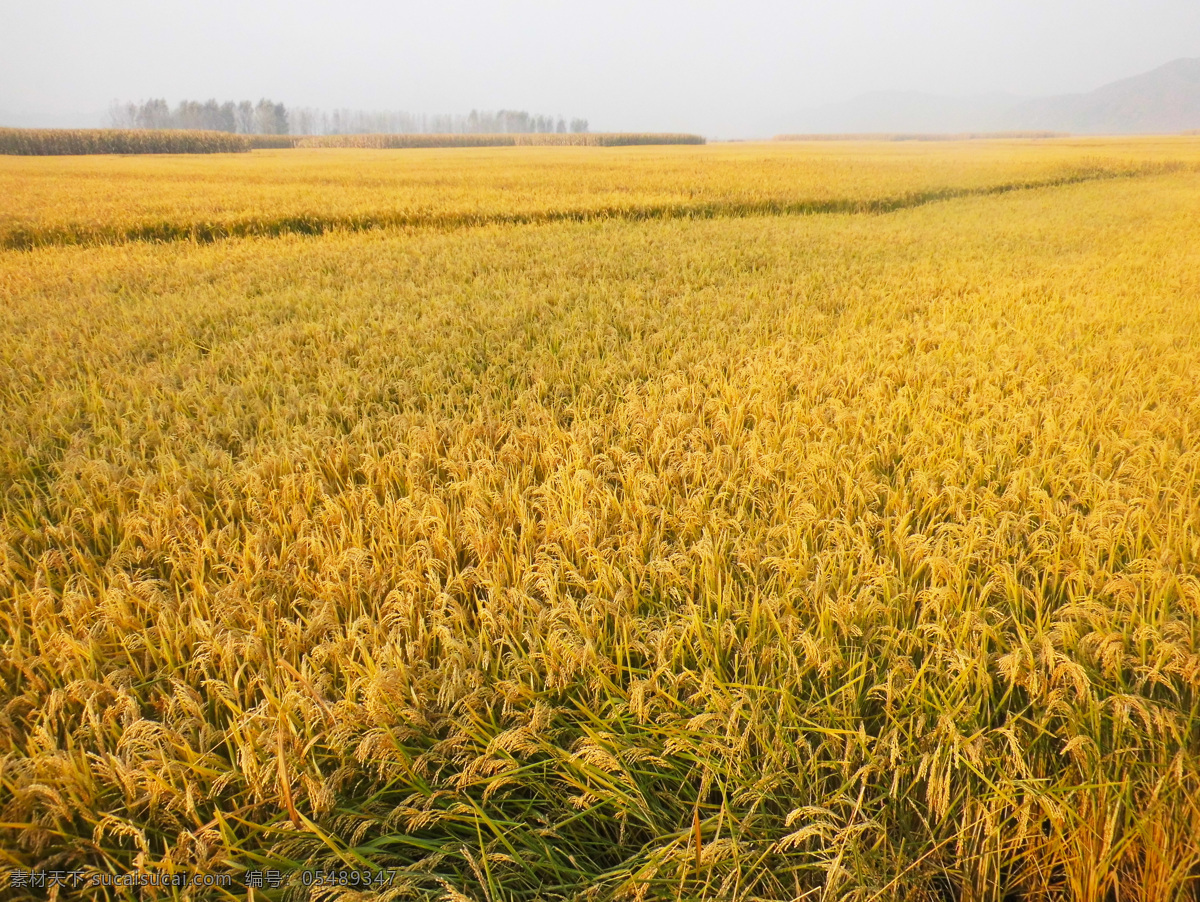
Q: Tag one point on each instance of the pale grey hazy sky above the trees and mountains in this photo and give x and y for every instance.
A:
(721, 69)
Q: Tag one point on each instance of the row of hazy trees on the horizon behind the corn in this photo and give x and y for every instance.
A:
(271, 118)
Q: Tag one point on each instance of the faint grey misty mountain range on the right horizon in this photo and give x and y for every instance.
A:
(1163, 101)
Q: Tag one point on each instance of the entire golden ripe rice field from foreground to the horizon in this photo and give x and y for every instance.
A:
(729, 522)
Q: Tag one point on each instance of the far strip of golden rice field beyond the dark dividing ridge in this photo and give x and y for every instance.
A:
(91, 200)
